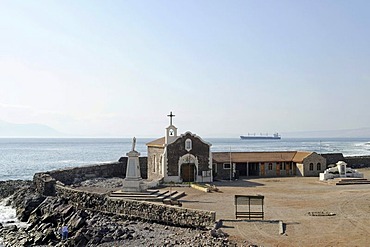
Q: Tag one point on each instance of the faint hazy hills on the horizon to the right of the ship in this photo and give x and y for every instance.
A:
(346, 133)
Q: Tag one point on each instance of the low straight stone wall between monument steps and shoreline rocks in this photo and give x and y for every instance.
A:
(152, 212)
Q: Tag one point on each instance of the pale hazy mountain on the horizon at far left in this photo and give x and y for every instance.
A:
(27, 130)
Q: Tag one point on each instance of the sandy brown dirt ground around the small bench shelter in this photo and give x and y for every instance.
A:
(291, 199)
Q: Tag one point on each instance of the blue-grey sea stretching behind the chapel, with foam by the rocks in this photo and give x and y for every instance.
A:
(21, 158)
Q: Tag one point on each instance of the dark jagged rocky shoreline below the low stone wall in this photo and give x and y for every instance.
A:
(46, 215)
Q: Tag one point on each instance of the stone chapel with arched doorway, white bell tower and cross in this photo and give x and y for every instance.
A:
(179, 158)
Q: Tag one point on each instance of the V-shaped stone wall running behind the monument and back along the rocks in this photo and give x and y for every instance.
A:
(52, 183)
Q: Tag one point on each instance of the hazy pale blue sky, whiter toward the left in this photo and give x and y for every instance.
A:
(225, 68)
